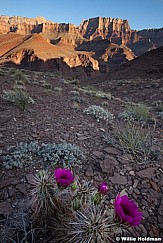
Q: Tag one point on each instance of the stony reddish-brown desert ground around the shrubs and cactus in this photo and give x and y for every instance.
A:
(53, 118)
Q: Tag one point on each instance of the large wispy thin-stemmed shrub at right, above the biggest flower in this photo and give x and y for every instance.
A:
(137, 141)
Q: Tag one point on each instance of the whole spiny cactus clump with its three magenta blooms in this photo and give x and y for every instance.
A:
(93, 222)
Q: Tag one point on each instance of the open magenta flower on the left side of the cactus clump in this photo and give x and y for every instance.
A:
(64, 177)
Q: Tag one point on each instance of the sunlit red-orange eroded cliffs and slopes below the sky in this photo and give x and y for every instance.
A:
(97, 43)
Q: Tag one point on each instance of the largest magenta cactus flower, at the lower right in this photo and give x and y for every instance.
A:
(127, 211)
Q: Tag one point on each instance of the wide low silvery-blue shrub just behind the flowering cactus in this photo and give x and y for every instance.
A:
(24, 154)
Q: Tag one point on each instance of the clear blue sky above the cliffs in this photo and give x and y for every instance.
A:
(141, 14)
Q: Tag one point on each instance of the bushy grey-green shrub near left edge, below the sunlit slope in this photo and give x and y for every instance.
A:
(20, 98)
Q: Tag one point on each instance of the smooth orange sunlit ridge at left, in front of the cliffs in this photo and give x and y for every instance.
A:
(37, 53)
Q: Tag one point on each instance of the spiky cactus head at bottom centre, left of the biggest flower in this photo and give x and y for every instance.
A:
(94, 224)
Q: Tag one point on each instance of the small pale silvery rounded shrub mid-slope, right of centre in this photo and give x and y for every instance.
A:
(99, 113)
